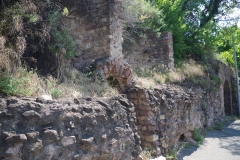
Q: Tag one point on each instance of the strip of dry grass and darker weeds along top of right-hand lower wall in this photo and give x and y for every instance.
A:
(188, 73)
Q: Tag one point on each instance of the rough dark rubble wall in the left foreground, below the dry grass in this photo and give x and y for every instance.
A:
(78, 129)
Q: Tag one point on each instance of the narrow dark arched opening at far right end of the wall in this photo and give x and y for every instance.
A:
(227, 99)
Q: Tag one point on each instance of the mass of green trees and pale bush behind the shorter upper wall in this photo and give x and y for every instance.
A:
(194, 25)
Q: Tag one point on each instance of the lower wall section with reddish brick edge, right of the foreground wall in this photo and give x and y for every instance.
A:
(169, 112)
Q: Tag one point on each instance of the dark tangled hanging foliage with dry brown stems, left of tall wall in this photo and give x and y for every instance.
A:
(34, 32)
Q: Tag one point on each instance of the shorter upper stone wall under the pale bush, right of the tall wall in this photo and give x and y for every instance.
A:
(150, 50)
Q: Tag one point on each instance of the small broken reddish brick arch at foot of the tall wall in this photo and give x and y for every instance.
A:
(118, 69)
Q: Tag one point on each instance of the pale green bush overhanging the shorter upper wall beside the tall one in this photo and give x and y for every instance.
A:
(140, 16)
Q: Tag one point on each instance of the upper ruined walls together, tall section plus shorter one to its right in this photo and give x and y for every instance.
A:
(100, 36)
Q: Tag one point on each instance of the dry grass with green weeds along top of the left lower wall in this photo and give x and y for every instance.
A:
(21, 82)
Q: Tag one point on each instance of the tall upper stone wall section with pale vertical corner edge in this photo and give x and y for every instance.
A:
(98, 32)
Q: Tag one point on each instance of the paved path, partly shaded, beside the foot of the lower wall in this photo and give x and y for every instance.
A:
(218, 145)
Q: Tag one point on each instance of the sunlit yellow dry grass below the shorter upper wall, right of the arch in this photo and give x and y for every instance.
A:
(156, 75)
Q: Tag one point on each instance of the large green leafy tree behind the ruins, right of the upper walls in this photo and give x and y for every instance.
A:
(193, 24)
